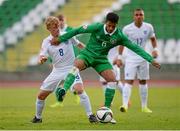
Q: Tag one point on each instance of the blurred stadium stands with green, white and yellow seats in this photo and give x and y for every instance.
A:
(22, 31)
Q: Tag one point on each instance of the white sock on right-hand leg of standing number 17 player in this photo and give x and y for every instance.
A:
(143, 90)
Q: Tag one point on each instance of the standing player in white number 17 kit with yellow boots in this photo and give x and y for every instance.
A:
(138, 32)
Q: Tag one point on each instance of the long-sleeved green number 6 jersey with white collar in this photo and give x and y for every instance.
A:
(101, 41)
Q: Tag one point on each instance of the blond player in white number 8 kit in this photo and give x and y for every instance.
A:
(62, 59)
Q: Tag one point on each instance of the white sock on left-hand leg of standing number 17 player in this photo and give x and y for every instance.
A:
(126, 94)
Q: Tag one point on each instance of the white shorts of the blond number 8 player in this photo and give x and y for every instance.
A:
(56, 78)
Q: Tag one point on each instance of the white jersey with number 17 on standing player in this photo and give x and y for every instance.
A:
(139, 36)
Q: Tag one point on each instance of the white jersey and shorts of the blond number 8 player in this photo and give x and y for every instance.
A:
(62, 60)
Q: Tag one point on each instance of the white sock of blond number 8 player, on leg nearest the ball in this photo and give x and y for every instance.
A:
(84, 99)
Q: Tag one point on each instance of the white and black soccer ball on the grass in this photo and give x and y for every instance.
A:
(104, 114)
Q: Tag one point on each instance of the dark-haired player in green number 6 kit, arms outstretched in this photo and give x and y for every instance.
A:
(103, 38)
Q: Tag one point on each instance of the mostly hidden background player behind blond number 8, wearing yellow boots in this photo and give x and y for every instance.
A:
(65, 28)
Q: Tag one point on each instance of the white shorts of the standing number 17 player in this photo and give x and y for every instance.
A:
(141, 69)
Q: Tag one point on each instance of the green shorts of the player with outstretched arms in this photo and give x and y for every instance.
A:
(99, 63)
